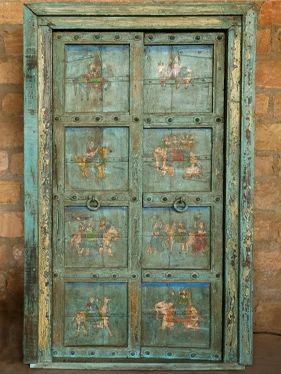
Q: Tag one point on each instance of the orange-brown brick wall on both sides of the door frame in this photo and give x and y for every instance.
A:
(268, 164)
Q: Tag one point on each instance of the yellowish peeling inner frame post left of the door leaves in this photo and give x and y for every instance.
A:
(45, 192)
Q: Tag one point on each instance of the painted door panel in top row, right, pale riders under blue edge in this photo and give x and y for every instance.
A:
(178, 78)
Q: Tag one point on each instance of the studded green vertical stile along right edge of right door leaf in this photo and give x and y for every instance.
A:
(217, 188)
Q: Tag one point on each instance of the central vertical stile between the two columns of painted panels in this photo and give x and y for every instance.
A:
(135, 216)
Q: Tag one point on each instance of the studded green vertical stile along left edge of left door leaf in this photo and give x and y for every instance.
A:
(58, 196)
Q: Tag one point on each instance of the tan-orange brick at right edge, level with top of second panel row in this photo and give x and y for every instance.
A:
(268, 137)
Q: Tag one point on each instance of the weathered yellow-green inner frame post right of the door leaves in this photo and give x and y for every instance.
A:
(232, 140)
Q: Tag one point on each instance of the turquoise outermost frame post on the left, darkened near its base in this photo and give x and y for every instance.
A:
(30, 188)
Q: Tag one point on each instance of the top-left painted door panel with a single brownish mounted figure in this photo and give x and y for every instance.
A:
(96, 78)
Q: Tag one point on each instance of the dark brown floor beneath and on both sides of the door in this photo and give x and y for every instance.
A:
(267, 353)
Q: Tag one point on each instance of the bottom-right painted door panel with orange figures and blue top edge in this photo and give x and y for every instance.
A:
(176, 314)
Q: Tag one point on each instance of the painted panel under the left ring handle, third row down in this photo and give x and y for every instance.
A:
(96, 239)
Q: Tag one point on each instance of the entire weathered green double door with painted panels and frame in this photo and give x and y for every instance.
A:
(96, 131)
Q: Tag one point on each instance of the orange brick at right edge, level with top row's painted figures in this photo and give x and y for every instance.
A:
(268, 73)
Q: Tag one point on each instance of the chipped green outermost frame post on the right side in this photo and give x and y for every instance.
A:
(247, 189)
